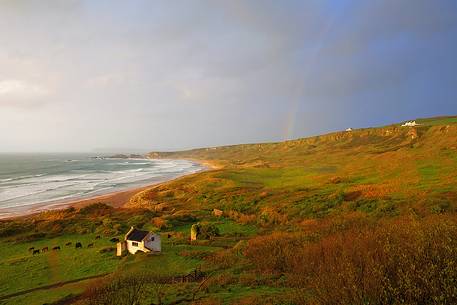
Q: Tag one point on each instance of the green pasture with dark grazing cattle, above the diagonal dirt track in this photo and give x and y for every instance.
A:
(51, 267)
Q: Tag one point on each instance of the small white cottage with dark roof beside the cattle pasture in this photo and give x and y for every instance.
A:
(138, 240)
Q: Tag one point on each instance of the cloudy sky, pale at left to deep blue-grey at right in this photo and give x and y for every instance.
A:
(128, 76)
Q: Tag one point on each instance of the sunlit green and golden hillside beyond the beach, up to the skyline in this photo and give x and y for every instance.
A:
(390, 168)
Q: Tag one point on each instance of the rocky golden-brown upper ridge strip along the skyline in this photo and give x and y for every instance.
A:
(391, 137)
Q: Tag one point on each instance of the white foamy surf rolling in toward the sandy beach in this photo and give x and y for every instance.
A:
(86, 179)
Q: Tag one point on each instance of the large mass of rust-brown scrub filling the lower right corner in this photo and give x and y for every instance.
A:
(395, 262)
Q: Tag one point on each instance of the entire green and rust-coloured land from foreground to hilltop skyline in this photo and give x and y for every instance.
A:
(284, 205)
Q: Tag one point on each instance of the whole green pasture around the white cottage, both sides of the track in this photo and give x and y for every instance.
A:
(68, 269)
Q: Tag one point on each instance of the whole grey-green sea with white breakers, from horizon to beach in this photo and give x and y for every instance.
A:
(29, 181)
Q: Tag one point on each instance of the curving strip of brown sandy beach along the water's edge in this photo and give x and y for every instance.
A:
(116, 199)
